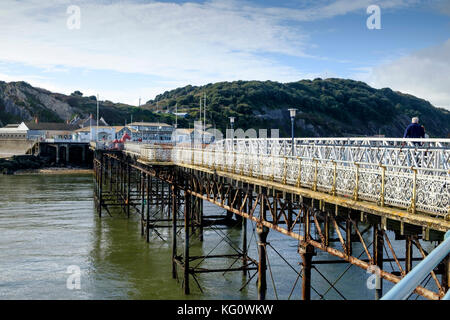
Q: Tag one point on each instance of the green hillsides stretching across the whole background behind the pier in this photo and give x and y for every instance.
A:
(329, 107)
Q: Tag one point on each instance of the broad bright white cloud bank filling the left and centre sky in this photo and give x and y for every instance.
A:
(188, 43)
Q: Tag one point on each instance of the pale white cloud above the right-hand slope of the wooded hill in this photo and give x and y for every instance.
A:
(425, 74)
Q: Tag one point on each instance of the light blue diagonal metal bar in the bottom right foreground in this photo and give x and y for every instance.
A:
(406, 286)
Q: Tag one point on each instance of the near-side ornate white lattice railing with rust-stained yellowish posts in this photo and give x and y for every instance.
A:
(410, 187)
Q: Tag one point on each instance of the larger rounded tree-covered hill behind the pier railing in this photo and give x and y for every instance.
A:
(329, 107)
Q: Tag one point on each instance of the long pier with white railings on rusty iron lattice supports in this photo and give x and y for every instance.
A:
(319, 192)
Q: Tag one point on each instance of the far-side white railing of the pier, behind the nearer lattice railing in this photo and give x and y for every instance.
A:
(426, 153)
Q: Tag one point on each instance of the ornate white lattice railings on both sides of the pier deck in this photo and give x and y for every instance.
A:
(380, 176)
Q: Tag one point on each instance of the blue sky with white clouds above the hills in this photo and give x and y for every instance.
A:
(127, 50)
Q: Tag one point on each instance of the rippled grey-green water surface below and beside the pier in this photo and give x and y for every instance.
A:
(48, 222)
